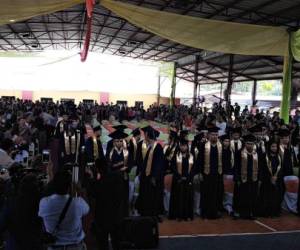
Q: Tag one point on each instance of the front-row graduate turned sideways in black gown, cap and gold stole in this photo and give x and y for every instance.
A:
(149, 201)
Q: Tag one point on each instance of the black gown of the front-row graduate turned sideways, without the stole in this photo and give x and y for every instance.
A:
(149, 202)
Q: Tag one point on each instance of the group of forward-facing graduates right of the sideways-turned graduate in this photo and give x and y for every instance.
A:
(256, 165)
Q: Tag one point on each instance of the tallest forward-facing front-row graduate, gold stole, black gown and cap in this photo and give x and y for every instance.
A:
(211, 169)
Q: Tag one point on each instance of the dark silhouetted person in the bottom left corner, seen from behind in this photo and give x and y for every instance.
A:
(19, 217)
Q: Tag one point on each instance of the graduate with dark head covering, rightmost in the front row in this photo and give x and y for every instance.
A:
(271, 182)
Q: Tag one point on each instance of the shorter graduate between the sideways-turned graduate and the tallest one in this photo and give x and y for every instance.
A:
(182, 194)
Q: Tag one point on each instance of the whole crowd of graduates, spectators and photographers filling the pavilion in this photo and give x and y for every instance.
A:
(53, 171)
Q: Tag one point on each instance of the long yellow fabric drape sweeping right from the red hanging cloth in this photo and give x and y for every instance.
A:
(213, 35)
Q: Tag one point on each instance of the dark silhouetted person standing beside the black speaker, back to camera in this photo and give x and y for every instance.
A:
(108, 191)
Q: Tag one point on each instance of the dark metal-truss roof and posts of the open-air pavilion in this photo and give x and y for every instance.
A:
(25, 29)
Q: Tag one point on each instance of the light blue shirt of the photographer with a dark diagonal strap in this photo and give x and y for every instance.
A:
(70, 230)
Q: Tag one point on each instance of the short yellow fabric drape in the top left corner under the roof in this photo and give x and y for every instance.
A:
(18, 10)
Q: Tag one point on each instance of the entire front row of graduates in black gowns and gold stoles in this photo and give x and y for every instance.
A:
(258, 173)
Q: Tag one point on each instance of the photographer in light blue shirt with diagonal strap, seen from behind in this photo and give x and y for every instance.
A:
(62, 215)
